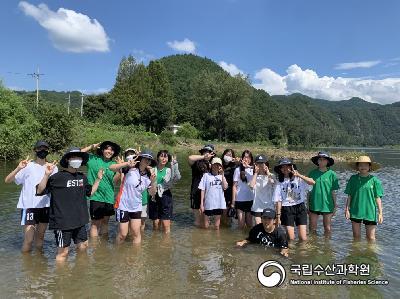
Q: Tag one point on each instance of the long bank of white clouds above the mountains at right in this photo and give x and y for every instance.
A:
(308, 82)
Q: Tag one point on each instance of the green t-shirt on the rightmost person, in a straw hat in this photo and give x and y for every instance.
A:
(363, 192)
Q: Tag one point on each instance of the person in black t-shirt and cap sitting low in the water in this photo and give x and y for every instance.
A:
(268, 234)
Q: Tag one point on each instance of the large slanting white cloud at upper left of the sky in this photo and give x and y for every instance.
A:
(68, 30)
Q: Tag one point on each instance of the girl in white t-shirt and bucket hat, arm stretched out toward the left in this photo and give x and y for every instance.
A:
(138, 176)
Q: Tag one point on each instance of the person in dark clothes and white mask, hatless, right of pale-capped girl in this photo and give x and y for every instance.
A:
(229, 164)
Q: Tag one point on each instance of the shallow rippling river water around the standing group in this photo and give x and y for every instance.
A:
(195, 263)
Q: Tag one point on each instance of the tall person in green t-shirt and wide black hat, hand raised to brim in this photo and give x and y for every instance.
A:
(102, 201)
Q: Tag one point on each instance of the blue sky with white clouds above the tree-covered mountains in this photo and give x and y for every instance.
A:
(332, 50)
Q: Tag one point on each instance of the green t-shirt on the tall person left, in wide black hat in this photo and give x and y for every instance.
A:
(105, 191)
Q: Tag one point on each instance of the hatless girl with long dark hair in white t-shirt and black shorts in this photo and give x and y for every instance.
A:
(242, 196)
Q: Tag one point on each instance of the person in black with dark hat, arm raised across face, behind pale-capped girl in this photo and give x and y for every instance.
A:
(200, 165)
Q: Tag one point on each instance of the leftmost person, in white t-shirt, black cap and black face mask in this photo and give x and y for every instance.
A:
(34, 210)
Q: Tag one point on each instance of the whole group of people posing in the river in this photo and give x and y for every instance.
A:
(270, 204)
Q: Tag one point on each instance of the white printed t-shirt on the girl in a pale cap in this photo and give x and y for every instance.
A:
(213, 191)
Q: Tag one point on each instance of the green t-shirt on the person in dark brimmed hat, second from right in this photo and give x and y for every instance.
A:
(321, 199)
